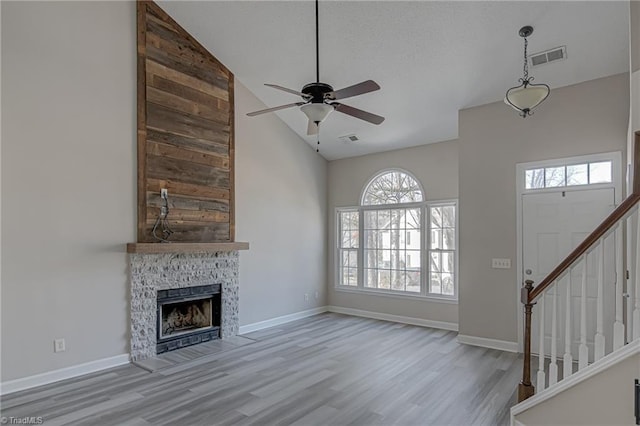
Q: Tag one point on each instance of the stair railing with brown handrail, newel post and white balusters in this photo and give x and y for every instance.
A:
(558, 285)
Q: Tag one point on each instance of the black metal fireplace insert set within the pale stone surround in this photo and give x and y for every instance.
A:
(187, 316)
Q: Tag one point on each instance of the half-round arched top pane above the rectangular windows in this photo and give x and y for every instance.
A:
(392, 187)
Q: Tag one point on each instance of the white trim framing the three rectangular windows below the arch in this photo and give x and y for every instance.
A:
(424, 252)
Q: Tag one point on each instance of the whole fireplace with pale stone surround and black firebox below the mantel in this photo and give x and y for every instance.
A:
(189, 276)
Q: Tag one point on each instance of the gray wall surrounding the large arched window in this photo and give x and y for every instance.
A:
(436, 167)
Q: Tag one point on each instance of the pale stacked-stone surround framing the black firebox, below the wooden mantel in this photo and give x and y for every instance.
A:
(150, 272)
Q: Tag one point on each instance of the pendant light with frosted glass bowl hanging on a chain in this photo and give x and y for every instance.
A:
(525, 97)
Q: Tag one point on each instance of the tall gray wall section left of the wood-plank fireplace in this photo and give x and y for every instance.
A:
(68, 181)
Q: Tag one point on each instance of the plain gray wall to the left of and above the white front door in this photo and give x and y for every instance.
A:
(586, 118)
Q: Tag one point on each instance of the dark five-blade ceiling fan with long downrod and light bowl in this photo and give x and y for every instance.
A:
(318, 99)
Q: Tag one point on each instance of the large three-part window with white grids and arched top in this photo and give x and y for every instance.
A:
(396, 242)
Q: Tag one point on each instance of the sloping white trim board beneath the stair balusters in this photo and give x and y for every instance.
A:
(599, 366)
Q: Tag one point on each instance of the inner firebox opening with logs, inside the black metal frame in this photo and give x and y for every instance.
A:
(185, 317)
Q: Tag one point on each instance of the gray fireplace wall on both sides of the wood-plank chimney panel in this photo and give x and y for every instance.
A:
(68, 190)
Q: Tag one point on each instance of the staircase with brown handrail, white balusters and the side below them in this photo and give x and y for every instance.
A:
(564, 354)
